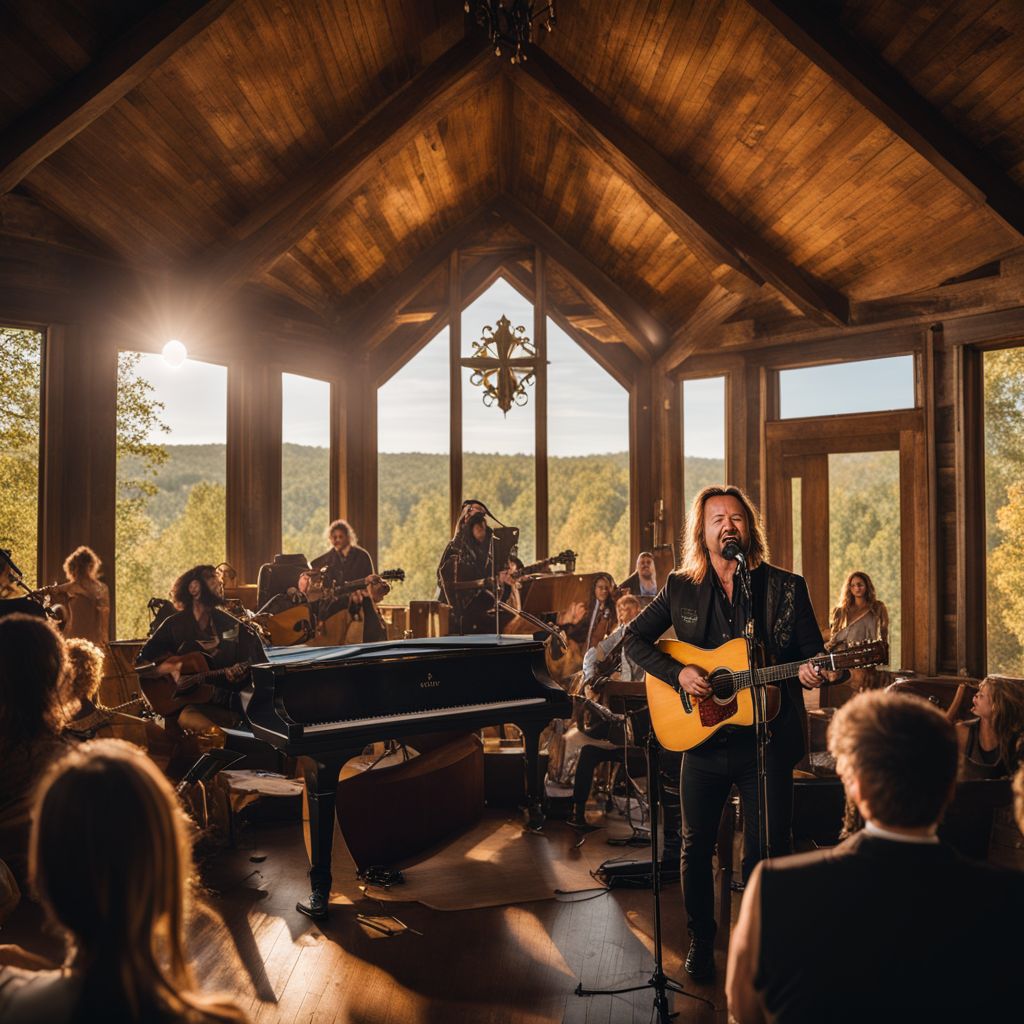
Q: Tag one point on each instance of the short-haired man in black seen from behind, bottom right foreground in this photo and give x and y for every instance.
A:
(891, 924)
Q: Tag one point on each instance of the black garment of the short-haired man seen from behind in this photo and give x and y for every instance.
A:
(878, 930)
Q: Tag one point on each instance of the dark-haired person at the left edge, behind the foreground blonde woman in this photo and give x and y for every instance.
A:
(33, 664)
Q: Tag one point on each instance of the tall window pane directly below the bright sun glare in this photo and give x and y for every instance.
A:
(173, 433)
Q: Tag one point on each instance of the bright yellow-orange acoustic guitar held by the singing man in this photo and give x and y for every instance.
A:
(682, 721)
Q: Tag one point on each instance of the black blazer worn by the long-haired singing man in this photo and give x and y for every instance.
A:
(785, 622)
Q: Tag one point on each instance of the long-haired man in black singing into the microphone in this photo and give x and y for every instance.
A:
(705, 603)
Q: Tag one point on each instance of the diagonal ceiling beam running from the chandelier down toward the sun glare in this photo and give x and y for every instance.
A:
(351, 163)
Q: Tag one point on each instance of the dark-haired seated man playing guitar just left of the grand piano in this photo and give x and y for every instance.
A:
(229, 647)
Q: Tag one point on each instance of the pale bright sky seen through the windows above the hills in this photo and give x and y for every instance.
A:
(588, 410)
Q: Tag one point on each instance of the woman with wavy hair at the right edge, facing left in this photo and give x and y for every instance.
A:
(989, 744)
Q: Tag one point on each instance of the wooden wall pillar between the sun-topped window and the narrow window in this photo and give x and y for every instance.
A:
(254, 439)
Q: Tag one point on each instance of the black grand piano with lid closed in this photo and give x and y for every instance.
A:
(328, 704)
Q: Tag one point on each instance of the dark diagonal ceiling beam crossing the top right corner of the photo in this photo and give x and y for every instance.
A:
(880, 89)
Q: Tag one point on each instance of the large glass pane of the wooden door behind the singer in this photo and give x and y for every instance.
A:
(865, 530)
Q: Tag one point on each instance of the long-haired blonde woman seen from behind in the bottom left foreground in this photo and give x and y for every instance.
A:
(110, 862)
